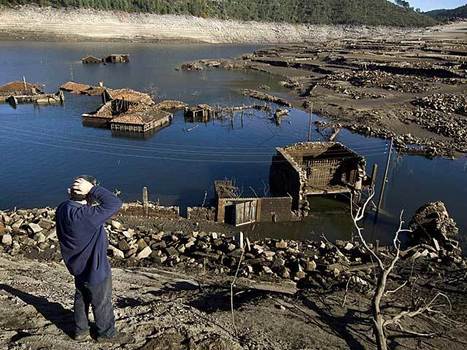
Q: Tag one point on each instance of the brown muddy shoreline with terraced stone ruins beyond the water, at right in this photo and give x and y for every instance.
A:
(411, 90)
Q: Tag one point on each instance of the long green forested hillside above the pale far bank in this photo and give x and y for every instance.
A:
(370, 12)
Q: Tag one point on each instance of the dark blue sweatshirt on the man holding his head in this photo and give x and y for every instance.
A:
(83, 240)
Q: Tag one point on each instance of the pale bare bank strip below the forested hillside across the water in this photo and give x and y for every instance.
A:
(48, 23)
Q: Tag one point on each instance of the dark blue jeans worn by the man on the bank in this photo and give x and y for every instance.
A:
(99, 297)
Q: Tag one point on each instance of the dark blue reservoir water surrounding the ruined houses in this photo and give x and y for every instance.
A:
(43, 148)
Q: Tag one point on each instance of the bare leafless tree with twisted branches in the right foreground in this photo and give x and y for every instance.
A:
(380, 322)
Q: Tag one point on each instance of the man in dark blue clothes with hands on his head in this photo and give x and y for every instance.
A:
(84, 243)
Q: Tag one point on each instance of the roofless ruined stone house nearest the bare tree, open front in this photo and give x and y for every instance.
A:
(316, 168)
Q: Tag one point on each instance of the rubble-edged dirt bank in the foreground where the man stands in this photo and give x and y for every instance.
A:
(177, 298)
